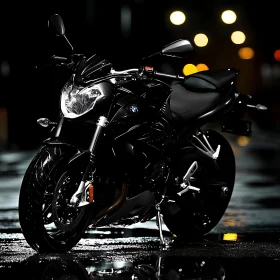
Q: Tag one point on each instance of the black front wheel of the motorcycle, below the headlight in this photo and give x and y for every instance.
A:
(48, 222)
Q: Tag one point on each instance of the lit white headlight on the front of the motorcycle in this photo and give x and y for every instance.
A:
(76, 100)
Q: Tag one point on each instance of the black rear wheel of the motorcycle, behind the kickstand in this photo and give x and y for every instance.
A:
(196, 213)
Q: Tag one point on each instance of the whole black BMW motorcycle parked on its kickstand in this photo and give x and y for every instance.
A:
(130, 146)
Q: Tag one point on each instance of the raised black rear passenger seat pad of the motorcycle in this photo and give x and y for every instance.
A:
(210, 80)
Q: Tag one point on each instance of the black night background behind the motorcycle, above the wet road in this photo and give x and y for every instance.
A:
(93, 26)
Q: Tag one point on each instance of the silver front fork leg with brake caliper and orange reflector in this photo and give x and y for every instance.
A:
(79, 198)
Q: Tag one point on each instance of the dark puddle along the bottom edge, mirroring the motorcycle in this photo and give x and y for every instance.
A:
(150, 267)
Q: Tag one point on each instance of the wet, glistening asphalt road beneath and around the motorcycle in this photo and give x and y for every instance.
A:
(244, 245)
